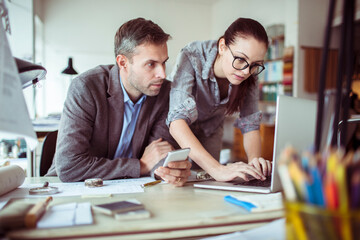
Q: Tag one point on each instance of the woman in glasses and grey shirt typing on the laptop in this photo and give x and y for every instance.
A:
(213, 79)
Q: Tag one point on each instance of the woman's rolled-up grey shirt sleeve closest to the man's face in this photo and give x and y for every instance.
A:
(182, 102)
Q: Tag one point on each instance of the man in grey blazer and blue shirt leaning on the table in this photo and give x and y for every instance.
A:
(113, 122)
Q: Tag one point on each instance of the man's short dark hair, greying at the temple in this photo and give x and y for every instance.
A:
(136, 32)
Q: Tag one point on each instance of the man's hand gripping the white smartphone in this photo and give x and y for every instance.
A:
(175, 173)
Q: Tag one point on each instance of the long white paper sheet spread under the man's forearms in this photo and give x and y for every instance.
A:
(131, 185)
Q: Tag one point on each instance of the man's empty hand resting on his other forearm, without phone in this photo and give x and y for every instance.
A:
(153, 153)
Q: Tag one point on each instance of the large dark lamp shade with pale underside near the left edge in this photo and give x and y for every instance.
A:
(30, 73)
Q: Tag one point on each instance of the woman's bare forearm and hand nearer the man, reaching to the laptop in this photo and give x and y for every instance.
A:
(182, 133)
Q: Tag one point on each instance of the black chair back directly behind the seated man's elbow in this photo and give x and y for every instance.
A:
(47, 153)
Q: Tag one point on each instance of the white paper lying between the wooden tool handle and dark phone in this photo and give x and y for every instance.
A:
(66, 215)
